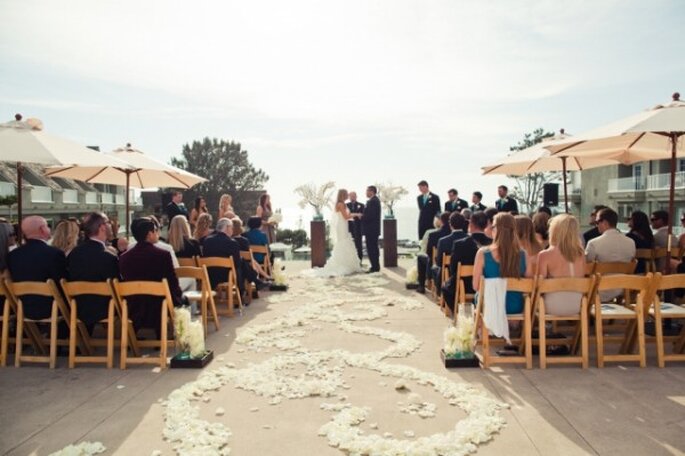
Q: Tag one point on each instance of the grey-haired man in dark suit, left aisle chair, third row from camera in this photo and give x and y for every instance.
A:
(222, 244)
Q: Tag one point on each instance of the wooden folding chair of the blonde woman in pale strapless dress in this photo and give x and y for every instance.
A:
(585, 287)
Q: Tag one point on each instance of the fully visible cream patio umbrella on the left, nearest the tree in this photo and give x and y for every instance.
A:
(140, 171)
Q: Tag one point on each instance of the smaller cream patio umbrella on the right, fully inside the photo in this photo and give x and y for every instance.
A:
(538, 159)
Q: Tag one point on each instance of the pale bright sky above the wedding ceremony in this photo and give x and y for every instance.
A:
(351, 91)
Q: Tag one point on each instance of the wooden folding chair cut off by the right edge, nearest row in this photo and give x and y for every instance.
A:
(661, 311)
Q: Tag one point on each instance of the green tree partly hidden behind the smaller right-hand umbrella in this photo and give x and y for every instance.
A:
(528, 188)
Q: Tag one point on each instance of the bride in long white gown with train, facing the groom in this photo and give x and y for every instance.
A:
(344, 259)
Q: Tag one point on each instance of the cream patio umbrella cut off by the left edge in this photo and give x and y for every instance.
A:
(26, 142)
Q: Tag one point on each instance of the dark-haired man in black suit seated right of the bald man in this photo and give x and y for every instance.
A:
(91, 262)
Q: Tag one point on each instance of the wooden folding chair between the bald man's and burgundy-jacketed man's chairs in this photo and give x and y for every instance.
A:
(104, 289)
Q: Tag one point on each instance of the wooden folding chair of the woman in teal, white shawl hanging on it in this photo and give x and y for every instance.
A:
(527, 288)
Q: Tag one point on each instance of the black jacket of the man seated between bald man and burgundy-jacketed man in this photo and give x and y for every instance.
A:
(90, 262)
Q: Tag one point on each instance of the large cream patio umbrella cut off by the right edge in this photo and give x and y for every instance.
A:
(654, 134)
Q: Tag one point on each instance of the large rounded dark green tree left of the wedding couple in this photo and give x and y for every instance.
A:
(228, 170)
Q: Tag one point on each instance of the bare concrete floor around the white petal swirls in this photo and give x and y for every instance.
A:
(562, 410)
